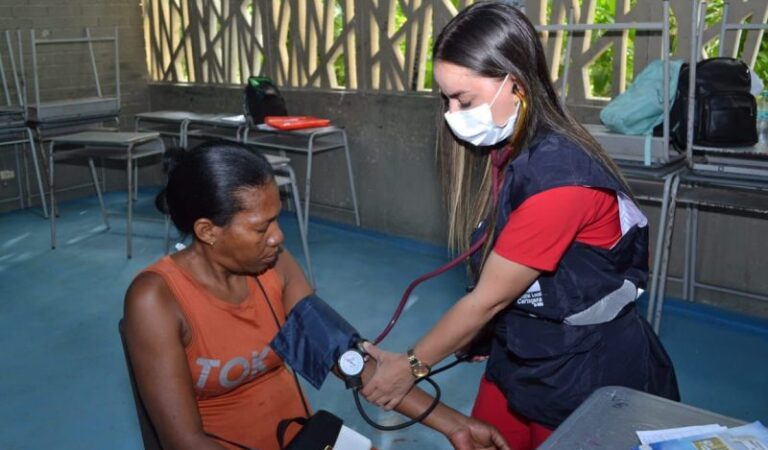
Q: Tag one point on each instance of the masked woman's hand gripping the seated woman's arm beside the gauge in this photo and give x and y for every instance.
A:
(392, 379)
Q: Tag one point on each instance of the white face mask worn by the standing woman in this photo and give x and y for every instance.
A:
(476, 125)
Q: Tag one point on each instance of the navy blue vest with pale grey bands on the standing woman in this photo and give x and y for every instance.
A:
(576, 329)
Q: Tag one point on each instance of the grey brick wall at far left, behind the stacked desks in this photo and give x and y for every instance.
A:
(65, 70)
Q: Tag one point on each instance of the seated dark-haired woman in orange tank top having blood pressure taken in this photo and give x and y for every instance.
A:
(199, 323)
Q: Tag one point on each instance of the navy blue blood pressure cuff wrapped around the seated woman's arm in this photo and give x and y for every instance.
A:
(312, 339)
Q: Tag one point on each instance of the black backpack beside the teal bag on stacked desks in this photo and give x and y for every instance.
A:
(724, 113)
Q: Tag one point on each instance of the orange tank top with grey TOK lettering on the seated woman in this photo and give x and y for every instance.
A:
(242, 387)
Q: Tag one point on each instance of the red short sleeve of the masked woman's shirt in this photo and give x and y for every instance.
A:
(544, 226)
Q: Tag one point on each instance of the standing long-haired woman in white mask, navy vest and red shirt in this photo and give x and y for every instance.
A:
(564, 251)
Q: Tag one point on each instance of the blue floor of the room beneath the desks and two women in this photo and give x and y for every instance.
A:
(64, 382)
